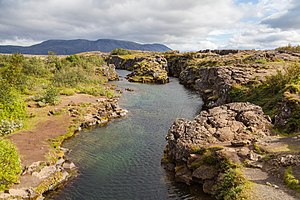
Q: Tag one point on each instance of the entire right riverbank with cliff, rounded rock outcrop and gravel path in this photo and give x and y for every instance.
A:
(269, 79)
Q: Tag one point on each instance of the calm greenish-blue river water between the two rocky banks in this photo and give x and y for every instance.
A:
(122, 160)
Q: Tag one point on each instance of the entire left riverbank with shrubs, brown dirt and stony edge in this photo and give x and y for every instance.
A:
(44, 100)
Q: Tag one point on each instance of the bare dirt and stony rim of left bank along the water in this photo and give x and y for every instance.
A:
(43, 159)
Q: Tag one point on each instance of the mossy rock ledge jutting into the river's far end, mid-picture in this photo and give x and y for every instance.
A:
(146, 68)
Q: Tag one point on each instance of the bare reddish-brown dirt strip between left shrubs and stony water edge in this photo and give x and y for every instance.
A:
(33, 145)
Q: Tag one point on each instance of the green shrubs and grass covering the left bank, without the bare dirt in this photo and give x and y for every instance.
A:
(33, 83)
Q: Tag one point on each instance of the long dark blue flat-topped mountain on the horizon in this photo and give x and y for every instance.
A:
(66, 47)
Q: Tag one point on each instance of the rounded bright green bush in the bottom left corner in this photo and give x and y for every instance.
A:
(10, 167)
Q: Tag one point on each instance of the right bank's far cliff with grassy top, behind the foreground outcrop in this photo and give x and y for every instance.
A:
(213, 72)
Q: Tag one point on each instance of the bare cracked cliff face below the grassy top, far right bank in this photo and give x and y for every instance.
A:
(215, 83)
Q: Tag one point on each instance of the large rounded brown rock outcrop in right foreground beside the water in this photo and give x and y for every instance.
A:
(198, 150)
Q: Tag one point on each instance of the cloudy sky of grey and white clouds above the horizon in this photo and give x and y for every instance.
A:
(187, 25)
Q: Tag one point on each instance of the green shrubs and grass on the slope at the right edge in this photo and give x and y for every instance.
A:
(279, 88)
